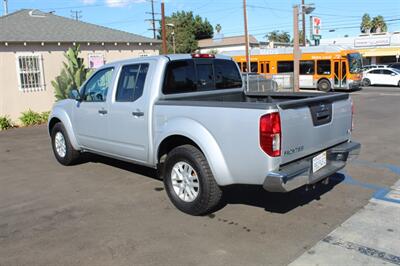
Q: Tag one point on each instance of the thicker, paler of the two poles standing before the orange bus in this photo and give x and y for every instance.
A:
(296, 49)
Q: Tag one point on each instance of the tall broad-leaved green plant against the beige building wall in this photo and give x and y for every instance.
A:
(72, 76)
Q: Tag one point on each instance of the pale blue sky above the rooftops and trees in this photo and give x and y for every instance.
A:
(339, 17)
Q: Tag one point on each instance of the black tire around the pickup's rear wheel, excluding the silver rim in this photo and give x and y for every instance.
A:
(209, 193)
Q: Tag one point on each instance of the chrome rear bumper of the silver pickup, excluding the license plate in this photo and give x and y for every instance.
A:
(299, 173)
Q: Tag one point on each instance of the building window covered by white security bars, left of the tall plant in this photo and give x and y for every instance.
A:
(30, 72)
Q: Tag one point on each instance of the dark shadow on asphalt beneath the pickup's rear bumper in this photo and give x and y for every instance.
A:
(277, 202)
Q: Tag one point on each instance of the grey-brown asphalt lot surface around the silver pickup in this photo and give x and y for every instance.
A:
(108, 212)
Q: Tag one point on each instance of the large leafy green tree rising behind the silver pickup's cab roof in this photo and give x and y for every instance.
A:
(188, 29)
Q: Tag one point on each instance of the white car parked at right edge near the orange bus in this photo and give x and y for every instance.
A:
(381, 76)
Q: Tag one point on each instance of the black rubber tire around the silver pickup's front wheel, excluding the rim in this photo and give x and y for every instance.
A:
(71, 155)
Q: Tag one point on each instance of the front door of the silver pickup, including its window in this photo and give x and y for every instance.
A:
(90, 115)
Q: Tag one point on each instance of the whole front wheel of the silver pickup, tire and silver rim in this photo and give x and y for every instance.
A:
(62, 148)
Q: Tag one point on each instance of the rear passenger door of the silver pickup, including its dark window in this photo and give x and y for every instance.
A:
(128, 116)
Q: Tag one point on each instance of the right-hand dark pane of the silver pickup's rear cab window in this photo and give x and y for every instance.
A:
(226, 75)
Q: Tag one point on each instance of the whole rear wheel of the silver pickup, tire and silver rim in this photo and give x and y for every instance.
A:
(189, 182)
